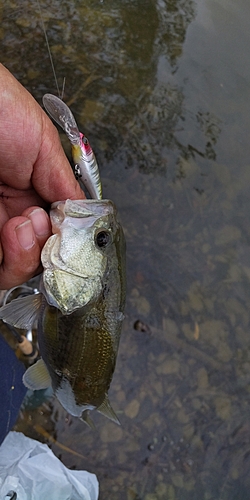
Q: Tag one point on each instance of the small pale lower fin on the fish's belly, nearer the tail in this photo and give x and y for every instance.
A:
(37, 376)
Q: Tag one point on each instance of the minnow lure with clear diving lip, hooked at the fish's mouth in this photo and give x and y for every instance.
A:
(86, 167)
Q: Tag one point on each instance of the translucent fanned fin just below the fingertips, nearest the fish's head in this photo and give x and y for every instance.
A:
(22, 312)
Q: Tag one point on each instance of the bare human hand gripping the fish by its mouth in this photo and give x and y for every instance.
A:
(34, 172)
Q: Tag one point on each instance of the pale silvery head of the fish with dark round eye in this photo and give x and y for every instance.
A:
(75, 257)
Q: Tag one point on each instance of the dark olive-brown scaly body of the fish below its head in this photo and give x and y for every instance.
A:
(90, 368)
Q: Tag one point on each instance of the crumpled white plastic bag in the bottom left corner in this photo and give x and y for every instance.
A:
(31, 470)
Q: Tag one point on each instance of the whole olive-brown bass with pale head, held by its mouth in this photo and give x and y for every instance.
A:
(79, 307)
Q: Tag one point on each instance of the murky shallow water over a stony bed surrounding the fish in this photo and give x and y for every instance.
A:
(161, 89)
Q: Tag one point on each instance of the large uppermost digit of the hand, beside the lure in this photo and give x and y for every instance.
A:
(31, 155)
